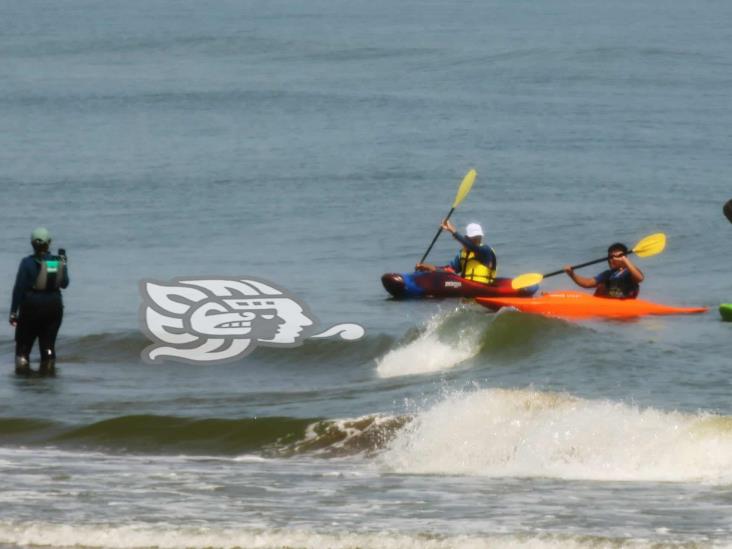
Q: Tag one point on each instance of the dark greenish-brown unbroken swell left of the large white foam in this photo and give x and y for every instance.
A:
(268, 436)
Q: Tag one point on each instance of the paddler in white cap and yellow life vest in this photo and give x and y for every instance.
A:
(476, 261)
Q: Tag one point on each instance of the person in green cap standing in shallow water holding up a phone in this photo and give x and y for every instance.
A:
(37, 308)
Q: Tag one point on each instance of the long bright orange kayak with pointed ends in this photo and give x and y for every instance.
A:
(579, 305)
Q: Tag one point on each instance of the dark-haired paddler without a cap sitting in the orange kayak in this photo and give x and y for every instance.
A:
(621, 281)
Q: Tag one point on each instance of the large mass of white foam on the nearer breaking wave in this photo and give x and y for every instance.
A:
(525, 433)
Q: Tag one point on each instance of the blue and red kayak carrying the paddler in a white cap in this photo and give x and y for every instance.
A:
(447, 284)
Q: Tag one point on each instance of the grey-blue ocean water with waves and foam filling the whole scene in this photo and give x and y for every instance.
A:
(317, 145)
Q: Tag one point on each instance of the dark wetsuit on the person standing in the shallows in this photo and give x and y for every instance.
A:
(39, 311)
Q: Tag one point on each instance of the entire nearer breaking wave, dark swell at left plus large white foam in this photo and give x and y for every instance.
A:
(486, 432)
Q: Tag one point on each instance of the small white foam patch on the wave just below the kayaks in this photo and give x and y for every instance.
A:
(431, 352)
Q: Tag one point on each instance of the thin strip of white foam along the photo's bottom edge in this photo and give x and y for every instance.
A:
(168, 537)
